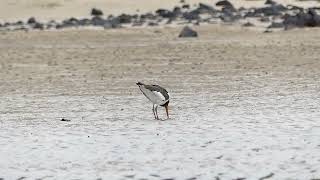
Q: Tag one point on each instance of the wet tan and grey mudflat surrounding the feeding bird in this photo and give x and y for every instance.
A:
(244, 104)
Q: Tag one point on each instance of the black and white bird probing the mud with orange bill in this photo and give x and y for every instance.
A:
(157, 95)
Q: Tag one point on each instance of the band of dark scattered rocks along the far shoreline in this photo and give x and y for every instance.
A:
(272, 16)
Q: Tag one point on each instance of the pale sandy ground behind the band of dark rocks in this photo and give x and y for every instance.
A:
(14, 10)
